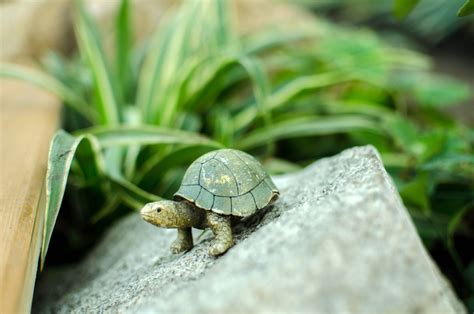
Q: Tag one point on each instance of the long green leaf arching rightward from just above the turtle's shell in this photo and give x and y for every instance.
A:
(311, 126)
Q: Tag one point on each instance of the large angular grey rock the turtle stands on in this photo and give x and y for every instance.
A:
(338, 241)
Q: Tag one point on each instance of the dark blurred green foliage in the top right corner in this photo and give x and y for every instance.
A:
(429, 20)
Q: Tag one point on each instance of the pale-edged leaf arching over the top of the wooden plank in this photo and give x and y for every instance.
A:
(49, 84)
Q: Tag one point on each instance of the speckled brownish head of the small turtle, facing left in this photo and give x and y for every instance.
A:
(168, 214)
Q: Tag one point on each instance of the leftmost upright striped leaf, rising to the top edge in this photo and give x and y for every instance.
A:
(89, 45)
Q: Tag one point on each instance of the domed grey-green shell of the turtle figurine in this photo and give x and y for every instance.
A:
(229, 182)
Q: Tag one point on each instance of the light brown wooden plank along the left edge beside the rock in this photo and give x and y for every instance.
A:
(28, 119)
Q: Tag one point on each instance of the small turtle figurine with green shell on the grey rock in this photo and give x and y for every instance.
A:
(218, 189)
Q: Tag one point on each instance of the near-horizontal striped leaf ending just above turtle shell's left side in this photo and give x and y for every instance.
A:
(145, 135)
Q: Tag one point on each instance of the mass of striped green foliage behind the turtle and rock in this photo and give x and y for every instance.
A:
(140, 117)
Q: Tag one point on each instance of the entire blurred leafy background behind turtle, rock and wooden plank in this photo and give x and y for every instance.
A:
(287, 81)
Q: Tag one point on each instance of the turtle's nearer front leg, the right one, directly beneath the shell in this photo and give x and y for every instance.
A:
(221, 227)
